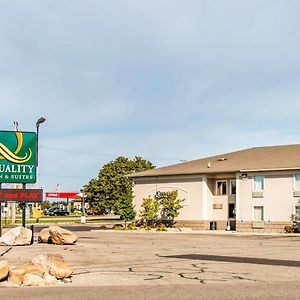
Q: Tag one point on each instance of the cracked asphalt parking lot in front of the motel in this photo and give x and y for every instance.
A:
(153, 265)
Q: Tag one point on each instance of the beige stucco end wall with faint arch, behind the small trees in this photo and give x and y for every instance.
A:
(189, 188)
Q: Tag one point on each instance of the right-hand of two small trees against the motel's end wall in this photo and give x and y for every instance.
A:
(170, 205)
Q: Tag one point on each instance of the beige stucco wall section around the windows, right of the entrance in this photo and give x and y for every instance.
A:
(278, 200)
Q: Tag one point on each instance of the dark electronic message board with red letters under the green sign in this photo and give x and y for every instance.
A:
(23, 195)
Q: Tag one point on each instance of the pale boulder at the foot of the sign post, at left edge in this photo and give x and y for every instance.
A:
(17, 236)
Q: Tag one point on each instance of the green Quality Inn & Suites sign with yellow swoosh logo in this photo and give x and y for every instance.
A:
(17, 157)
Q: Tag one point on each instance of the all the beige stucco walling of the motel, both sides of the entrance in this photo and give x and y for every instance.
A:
(199, 197)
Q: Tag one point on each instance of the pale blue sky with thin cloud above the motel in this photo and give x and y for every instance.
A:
(166, 80)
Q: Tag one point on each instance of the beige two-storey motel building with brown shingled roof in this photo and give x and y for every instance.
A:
(252, 190)
